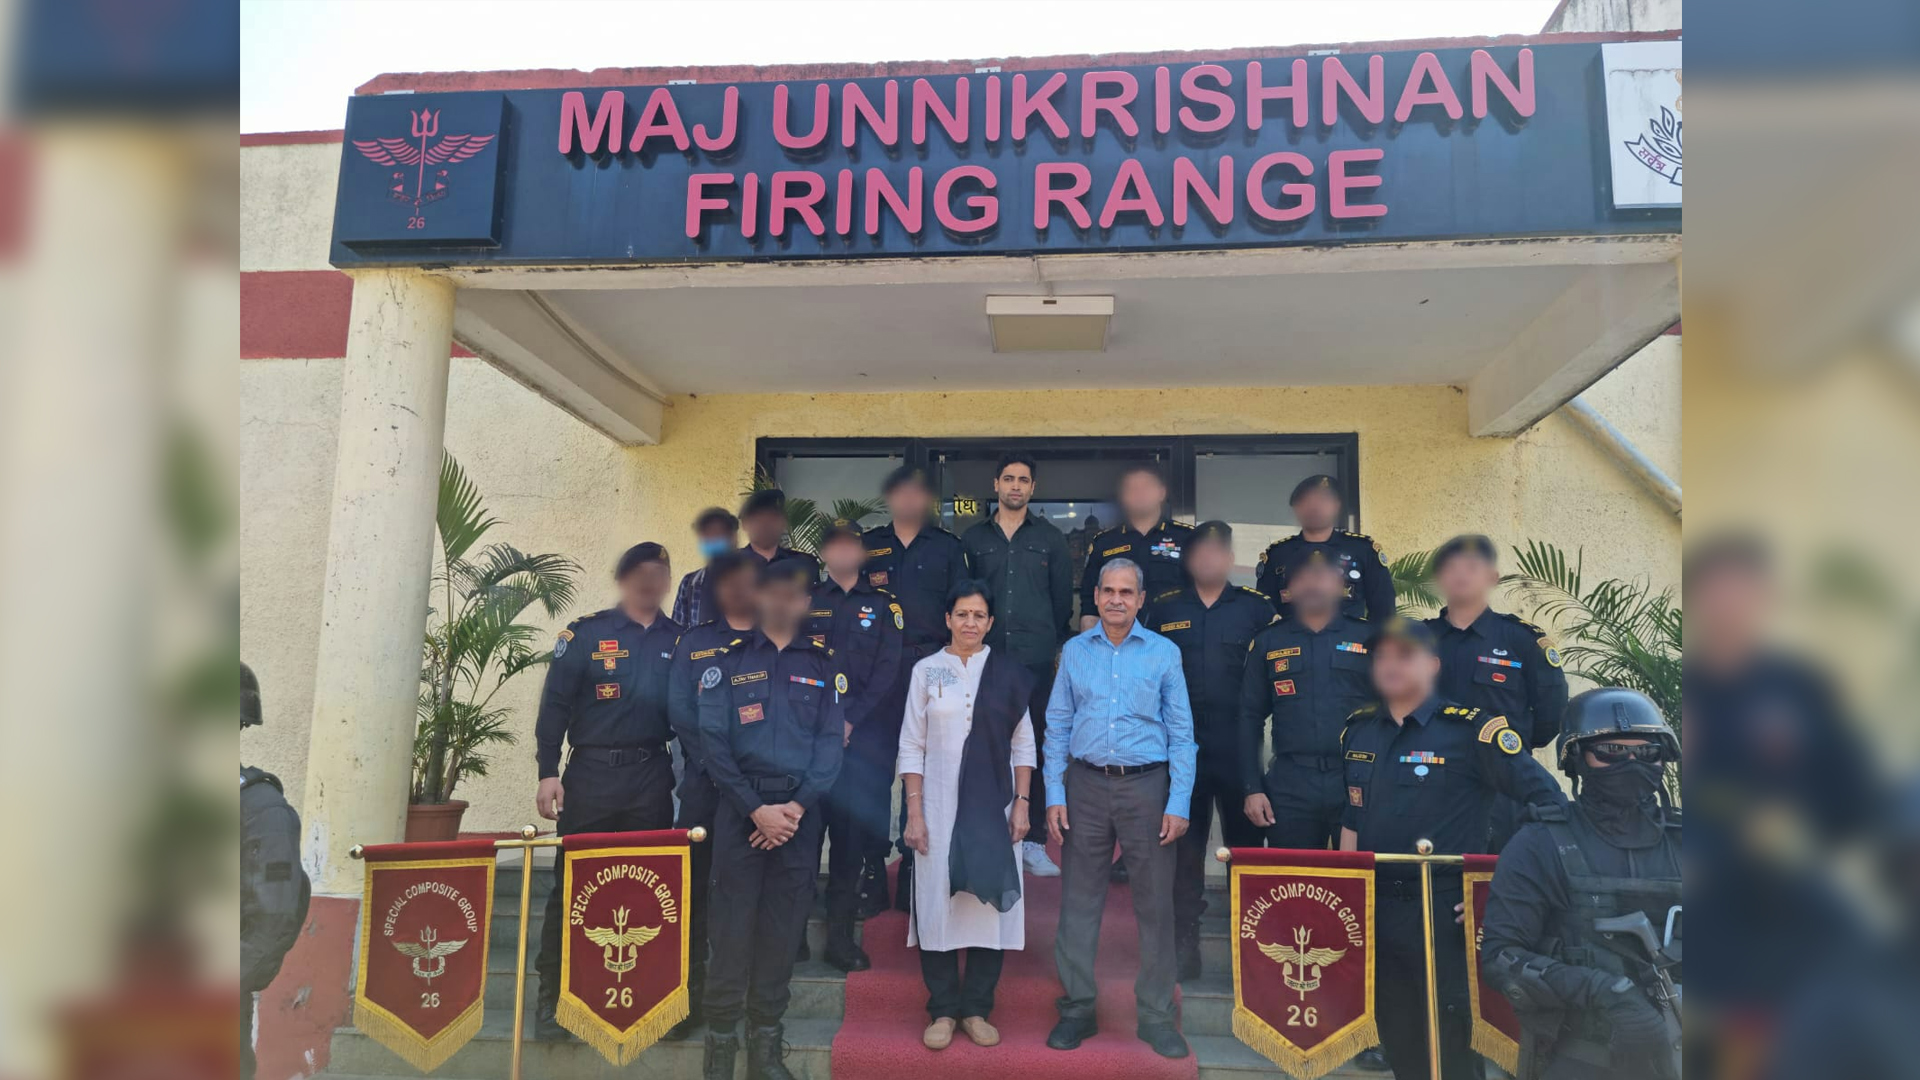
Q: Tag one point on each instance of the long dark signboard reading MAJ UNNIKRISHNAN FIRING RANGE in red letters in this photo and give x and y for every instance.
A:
(1239, 155)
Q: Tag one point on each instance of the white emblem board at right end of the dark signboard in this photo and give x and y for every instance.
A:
(1644, 122)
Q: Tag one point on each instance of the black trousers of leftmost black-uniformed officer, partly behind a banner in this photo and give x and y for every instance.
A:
(600, 798)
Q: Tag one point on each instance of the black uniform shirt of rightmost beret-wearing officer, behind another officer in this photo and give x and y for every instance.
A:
(1506, 666)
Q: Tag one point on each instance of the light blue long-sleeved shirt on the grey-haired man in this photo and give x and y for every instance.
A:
(1122, 706)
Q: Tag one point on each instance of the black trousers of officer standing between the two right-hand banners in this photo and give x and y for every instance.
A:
(1401, 981)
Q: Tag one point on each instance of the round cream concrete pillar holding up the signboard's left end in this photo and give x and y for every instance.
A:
(379, 558)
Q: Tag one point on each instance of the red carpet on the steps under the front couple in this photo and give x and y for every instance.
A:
(888, 1008)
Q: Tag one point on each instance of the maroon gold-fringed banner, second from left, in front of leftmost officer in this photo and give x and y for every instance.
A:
(625, 941)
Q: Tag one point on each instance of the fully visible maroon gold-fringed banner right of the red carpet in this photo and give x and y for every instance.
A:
(1303, 956)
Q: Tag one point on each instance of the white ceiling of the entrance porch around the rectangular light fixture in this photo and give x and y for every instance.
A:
(1368, 328)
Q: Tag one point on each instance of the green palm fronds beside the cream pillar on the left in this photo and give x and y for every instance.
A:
(475, 643)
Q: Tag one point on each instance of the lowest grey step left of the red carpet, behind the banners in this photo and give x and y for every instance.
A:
(491, 1056)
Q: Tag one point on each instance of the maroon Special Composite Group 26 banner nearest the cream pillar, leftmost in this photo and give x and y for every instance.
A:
(423, 946)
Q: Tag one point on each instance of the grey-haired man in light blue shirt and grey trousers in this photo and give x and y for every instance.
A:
(1120, 766)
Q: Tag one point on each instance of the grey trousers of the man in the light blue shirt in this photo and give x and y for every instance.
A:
(1103, 810)
